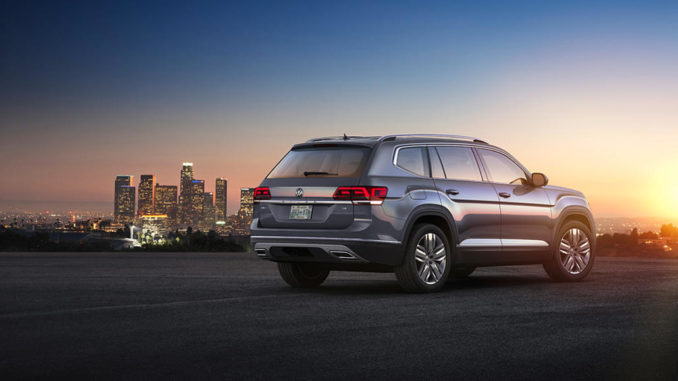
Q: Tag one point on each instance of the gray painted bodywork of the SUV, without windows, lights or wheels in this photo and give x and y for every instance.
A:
(378, 233)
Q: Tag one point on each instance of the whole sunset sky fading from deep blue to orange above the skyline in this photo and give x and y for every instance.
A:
(586, 92)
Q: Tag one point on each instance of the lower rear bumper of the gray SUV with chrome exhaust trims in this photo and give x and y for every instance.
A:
(353, 251)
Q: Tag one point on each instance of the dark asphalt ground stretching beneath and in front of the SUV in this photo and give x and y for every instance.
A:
(202, 315)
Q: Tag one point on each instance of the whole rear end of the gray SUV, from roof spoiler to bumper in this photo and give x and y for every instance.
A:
(318, 206)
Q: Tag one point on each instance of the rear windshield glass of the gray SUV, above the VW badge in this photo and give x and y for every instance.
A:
(322, 162)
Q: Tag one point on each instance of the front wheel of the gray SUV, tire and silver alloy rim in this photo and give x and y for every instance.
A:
(574, 240)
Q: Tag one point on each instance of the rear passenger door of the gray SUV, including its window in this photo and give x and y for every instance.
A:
(473, 202)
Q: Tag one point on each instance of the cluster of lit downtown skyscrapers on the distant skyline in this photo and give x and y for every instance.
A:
(160, 209)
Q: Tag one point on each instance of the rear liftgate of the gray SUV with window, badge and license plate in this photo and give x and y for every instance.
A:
(303, 184)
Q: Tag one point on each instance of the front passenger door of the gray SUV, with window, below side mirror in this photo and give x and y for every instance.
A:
(525, 209)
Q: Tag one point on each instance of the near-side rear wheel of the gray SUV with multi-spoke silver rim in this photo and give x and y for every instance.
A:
(418, 256)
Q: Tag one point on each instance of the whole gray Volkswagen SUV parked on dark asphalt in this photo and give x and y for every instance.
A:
(427, 207)
